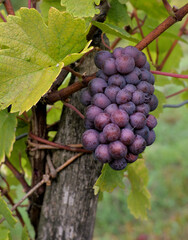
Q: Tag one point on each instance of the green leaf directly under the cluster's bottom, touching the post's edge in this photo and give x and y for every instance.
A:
(108, 180)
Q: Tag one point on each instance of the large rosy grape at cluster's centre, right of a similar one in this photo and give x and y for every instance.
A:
(120, 117)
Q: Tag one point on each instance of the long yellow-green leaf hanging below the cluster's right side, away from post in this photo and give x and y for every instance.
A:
(139, 198)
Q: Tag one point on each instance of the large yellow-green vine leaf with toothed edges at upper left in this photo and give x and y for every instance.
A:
(33, 53)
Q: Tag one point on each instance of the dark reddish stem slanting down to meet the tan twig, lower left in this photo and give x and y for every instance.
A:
(17, 174)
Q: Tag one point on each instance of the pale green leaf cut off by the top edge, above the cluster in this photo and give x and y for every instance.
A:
(83, 8)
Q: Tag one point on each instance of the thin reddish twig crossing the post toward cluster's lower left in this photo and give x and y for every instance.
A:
(60, 146)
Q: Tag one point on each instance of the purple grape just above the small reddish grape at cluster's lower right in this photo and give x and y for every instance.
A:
(138, 146)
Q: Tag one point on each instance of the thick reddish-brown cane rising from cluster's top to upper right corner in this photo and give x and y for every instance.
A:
(168, 22)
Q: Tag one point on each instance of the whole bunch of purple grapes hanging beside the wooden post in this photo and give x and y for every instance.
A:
(118, 100)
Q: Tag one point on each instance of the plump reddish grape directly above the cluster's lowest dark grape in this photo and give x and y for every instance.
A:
(117, 150)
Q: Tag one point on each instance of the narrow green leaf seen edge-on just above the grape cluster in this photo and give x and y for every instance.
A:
(114, 30)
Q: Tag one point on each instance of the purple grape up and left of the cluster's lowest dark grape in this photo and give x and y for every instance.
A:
(102, 153)
